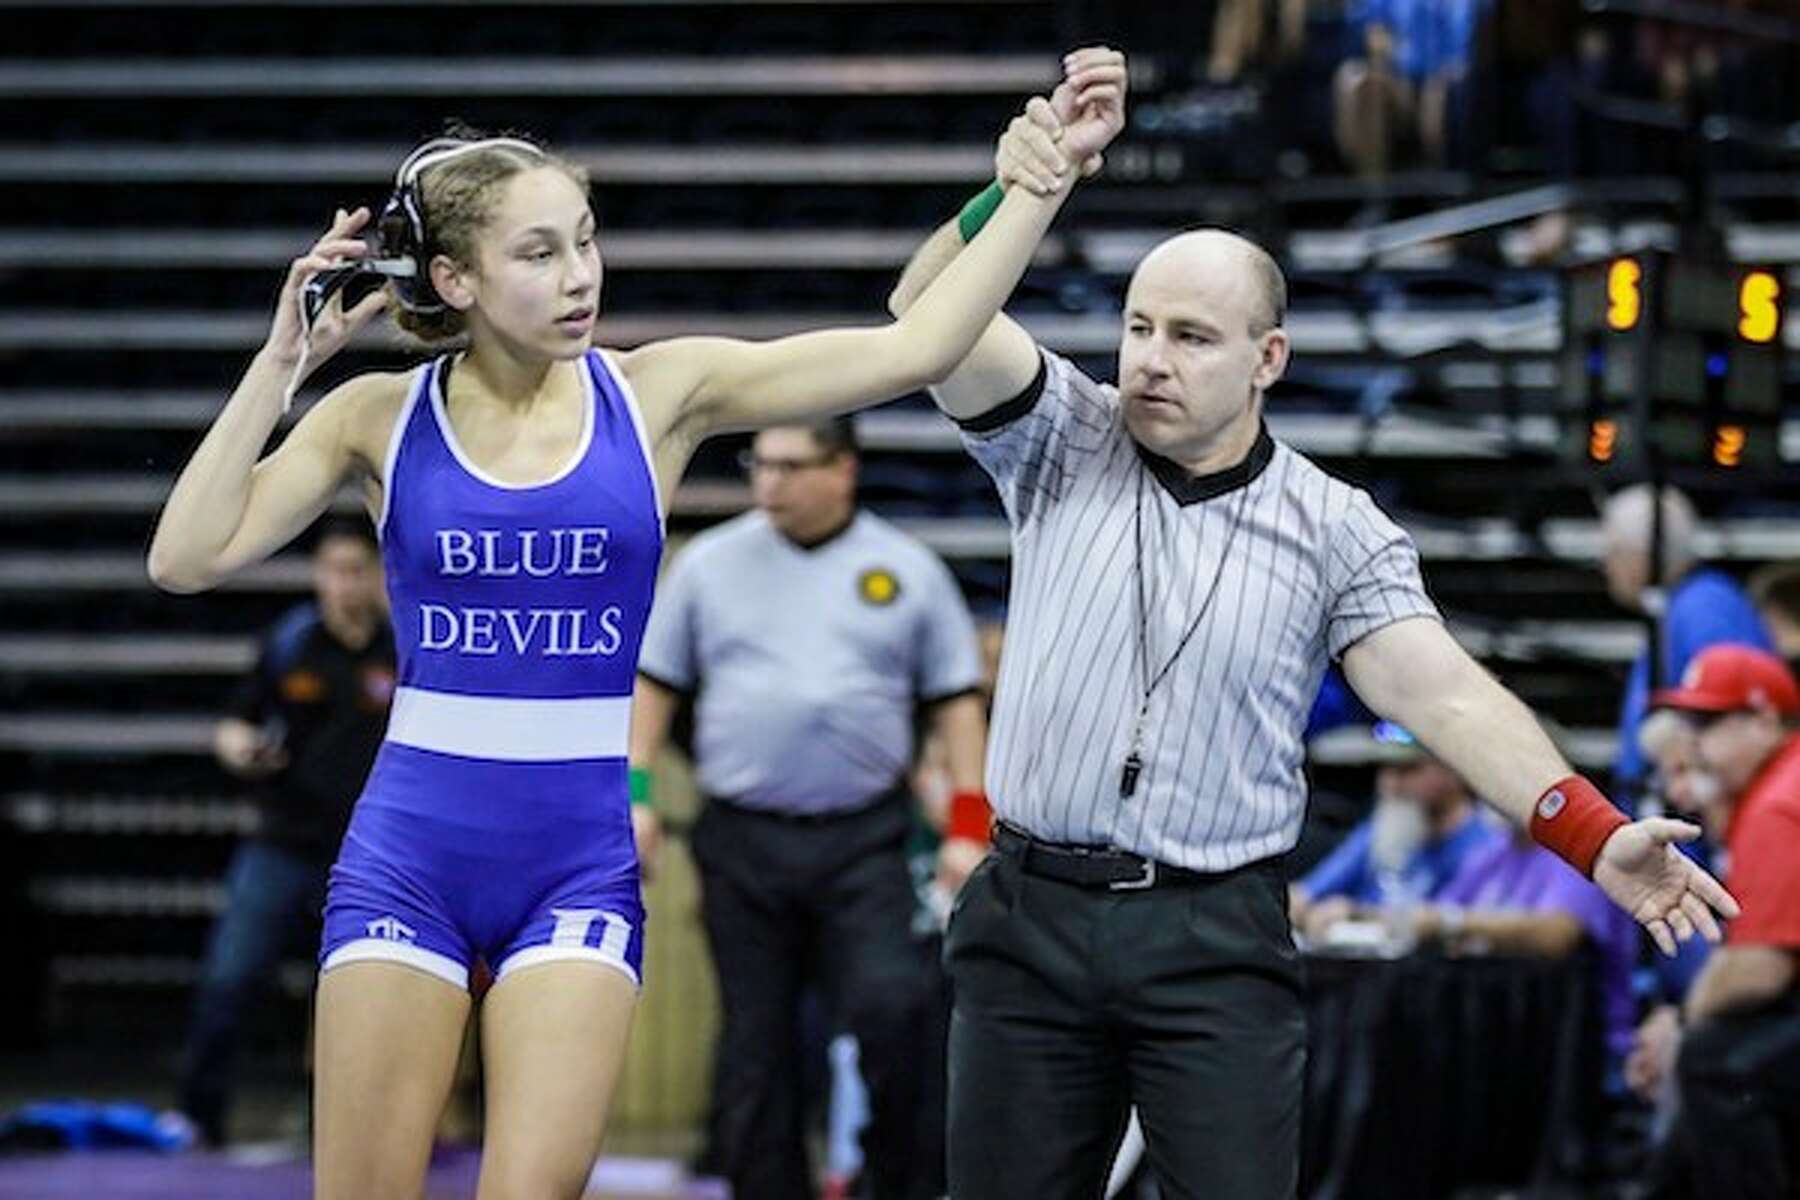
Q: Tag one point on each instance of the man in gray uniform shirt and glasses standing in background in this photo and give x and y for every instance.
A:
(811, 634)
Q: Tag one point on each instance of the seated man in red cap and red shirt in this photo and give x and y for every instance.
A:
(1736, 1048)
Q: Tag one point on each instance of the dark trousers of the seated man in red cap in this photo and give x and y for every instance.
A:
(1738, 1136)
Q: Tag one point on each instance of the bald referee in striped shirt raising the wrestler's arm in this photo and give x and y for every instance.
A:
(1180, 584)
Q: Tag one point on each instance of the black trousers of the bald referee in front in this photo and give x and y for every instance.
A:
(1074, 1005)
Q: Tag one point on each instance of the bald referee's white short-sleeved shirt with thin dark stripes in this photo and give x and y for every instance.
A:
(1313, 568)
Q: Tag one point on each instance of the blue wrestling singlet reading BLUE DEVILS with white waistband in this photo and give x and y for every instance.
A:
(498, 818)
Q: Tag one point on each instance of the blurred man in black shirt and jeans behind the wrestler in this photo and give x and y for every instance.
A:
(305, 728)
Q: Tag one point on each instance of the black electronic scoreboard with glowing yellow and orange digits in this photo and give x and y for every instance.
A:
(1673, 355)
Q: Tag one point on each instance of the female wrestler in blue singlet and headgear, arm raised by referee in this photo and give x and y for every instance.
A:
(519, 485)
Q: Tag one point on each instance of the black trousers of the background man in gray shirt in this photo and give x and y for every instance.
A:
(793, 902)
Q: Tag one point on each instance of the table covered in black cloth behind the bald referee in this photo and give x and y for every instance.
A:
(1426, 1075)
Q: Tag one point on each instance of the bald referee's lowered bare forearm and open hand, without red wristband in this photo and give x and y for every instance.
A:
(1414, 672)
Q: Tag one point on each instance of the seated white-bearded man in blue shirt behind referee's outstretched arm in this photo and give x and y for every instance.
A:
(1423, 828)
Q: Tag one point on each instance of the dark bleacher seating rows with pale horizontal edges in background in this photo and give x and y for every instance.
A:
(760, 168)
